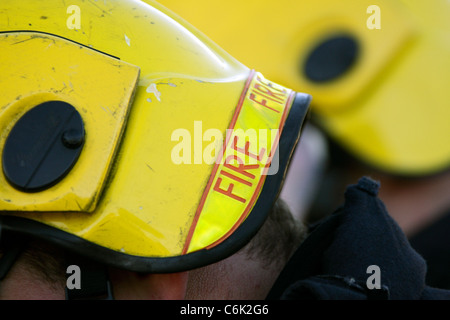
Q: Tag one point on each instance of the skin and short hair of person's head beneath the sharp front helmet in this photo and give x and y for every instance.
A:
(39, 272)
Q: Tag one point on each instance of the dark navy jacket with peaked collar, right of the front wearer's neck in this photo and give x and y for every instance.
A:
(333, 262)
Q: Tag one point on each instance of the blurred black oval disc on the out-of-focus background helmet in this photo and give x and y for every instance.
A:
(331, 58)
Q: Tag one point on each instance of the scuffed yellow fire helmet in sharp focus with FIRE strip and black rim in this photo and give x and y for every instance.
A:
(129, 137)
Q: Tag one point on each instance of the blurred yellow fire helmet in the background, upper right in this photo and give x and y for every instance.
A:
(378, 70)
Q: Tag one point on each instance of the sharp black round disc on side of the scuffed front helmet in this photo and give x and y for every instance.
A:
(43, 146)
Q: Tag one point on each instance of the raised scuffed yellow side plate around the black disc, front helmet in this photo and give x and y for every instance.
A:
(100, 87)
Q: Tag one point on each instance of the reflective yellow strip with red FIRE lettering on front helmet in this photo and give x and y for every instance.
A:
(241, 167)
